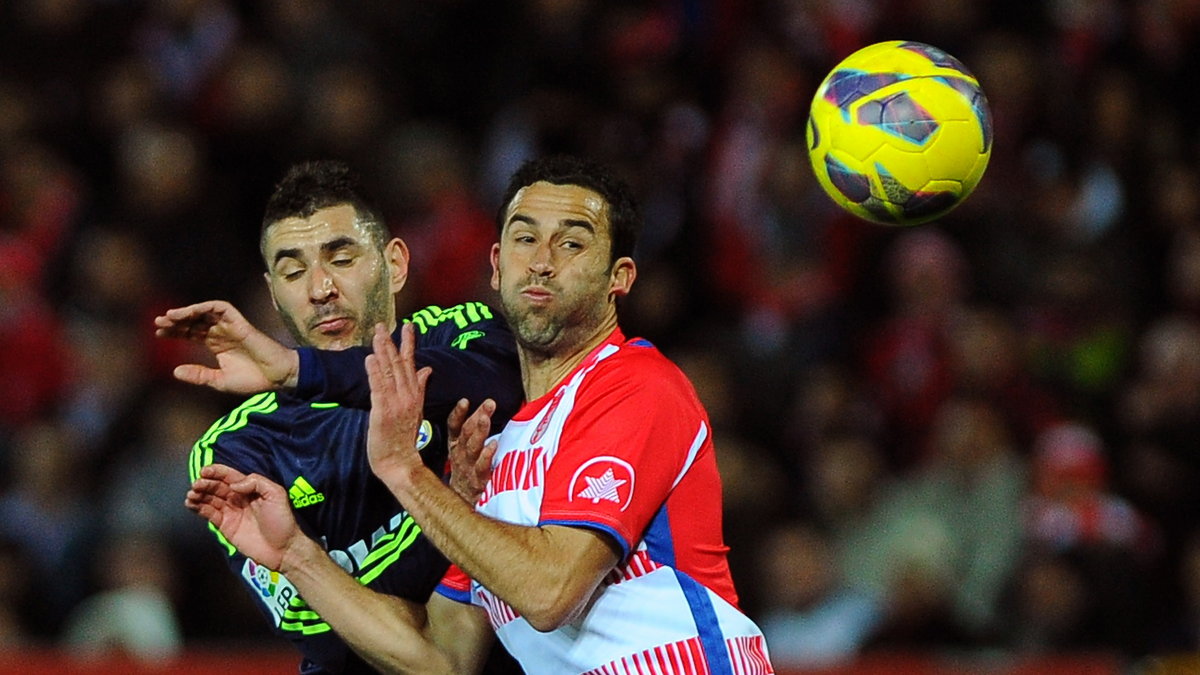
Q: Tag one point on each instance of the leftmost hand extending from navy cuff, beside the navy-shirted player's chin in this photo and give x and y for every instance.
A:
(249, 361)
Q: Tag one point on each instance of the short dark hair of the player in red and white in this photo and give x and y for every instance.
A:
(625, 217)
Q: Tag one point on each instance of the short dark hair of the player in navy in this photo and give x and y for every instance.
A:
(310, 187)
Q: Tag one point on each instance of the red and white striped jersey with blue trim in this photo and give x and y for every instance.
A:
(623, 446)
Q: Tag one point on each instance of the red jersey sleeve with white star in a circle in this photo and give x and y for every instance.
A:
(632, 435)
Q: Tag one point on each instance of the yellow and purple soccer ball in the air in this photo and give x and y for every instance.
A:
(899, 133)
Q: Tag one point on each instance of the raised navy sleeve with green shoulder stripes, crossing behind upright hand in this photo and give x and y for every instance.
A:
(472, 354)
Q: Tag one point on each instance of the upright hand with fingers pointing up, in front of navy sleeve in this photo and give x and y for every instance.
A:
(398, 402)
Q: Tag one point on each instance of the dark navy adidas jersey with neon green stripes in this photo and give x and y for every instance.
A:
(316, 449)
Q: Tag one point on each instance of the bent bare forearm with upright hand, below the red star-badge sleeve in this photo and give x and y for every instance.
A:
(547, 574)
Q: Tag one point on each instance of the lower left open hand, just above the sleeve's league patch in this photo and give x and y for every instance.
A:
(251, 512)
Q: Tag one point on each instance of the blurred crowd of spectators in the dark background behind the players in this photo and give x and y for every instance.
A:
(980, 434)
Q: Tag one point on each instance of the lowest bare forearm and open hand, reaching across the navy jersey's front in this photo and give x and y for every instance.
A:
(255, 516)
